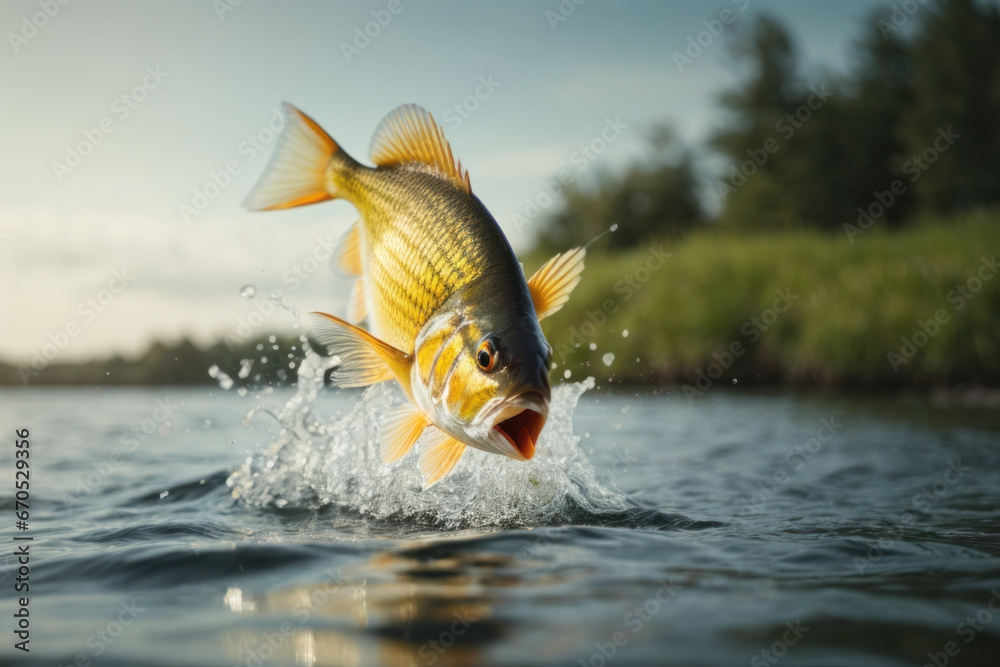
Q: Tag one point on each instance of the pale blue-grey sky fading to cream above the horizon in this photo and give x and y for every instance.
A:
(132, 131)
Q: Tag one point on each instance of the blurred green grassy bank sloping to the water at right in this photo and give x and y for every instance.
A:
(916, 293)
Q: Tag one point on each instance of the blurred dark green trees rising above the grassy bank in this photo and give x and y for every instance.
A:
(909, 131)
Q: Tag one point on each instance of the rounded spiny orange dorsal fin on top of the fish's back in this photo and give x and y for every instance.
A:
(410, 134)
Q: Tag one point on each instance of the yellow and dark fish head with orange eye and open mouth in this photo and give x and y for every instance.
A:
(485, 380)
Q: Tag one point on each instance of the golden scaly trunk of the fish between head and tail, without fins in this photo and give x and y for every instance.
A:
(422, 241)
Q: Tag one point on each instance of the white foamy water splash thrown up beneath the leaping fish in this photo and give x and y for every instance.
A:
(318, 463)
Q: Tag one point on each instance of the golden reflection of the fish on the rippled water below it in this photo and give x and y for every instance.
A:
(400, 608)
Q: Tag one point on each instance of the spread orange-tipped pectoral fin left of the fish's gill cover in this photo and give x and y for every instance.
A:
(364, 359)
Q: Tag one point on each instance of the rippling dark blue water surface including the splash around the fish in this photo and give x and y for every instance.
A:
(742, 528)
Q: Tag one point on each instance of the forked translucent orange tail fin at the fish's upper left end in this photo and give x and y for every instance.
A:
(296, 174)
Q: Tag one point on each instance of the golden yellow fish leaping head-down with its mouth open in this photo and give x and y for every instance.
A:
(448, 311)
